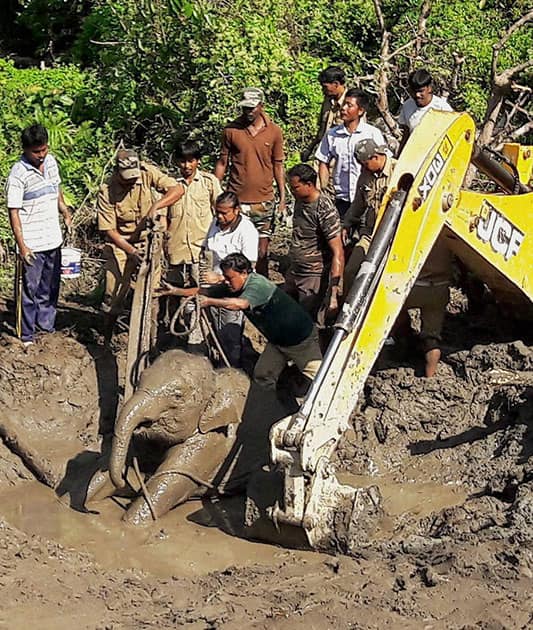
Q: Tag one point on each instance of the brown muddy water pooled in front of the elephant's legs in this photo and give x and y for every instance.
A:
(188, 541)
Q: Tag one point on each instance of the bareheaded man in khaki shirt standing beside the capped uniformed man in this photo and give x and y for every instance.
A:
(190, 217)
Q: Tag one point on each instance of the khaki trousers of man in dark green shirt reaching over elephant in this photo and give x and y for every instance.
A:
(306, 356)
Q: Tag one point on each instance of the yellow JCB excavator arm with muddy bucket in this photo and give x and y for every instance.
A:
(490, 233)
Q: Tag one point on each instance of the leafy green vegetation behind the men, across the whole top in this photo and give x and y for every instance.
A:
(151, 72)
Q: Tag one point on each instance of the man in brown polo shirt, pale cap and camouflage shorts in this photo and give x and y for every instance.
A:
(253, 147)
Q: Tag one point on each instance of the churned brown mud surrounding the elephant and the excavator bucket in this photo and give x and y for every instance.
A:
(453, 458)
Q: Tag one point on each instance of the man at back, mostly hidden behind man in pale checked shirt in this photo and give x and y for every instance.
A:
(333, 83)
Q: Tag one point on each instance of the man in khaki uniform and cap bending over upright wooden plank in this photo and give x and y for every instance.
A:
(124, 204)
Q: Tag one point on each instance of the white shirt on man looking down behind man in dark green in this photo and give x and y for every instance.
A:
(243, 239)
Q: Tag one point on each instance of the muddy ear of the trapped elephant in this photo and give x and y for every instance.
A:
(226, 405)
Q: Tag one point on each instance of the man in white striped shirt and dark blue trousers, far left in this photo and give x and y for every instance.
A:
(34, 200)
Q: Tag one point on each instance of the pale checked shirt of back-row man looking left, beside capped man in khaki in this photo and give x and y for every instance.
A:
(339, 144)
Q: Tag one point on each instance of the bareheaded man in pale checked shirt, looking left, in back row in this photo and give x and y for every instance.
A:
(338, 146)
